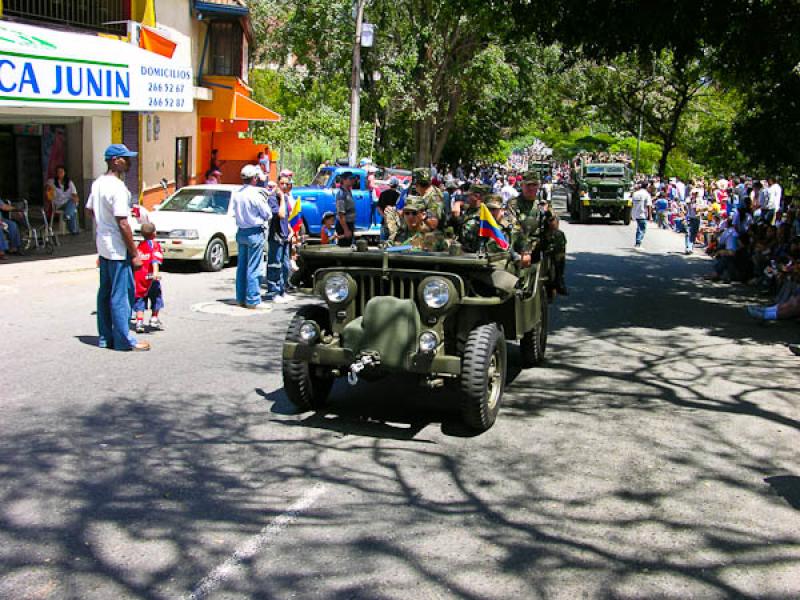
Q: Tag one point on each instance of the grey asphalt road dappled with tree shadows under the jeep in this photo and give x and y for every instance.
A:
(655, 455)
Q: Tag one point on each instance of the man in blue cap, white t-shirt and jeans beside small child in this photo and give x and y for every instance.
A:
(109, 205)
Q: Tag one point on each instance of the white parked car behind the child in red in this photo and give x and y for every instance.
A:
(197, 223)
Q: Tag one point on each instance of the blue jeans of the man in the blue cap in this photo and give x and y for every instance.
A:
(114, 301)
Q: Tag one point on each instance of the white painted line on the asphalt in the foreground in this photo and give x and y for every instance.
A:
(251, 547)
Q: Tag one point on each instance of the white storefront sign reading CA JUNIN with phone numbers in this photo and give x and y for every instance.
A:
(44, 68)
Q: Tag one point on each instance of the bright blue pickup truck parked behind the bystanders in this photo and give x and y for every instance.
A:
(319, 197)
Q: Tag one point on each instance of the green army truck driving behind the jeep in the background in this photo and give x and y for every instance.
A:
(601, 188)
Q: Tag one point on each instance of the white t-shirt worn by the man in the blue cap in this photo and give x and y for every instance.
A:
(109, 199)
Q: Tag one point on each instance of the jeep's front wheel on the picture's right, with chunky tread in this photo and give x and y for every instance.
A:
(483, 376)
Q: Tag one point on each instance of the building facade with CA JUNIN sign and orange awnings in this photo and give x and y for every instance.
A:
(166, 77)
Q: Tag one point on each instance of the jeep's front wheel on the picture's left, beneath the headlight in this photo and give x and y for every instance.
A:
(304, 388)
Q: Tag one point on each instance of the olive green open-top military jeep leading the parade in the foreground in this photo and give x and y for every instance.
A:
(442, 318)
